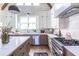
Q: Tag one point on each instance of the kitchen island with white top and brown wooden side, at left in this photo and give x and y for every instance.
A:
(16, 44)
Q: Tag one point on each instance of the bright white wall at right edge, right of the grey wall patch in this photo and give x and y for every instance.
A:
(73, 26)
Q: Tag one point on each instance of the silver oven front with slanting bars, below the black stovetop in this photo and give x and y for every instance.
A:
(57, 48)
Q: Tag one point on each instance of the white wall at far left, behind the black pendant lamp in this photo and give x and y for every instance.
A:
(7, 18)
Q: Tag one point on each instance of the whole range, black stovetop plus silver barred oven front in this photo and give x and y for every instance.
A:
(59, 42)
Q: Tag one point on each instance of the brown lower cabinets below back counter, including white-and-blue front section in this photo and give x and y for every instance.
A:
(39, 39)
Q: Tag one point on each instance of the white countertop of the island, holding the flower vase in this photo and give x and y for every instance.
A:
(14, 43)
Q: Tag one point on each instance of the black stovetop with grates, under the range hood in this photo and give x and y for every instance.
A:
(68, 42)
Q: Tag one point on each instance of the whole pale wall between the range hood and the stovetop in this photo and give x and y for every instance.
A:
(70, 25)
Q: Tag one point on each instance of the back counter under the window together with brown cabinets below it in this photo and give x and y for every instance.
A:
(37, 38)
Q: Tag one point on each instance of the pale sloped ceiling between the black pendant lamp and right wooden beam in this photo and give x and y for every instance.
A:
(33, 9)
